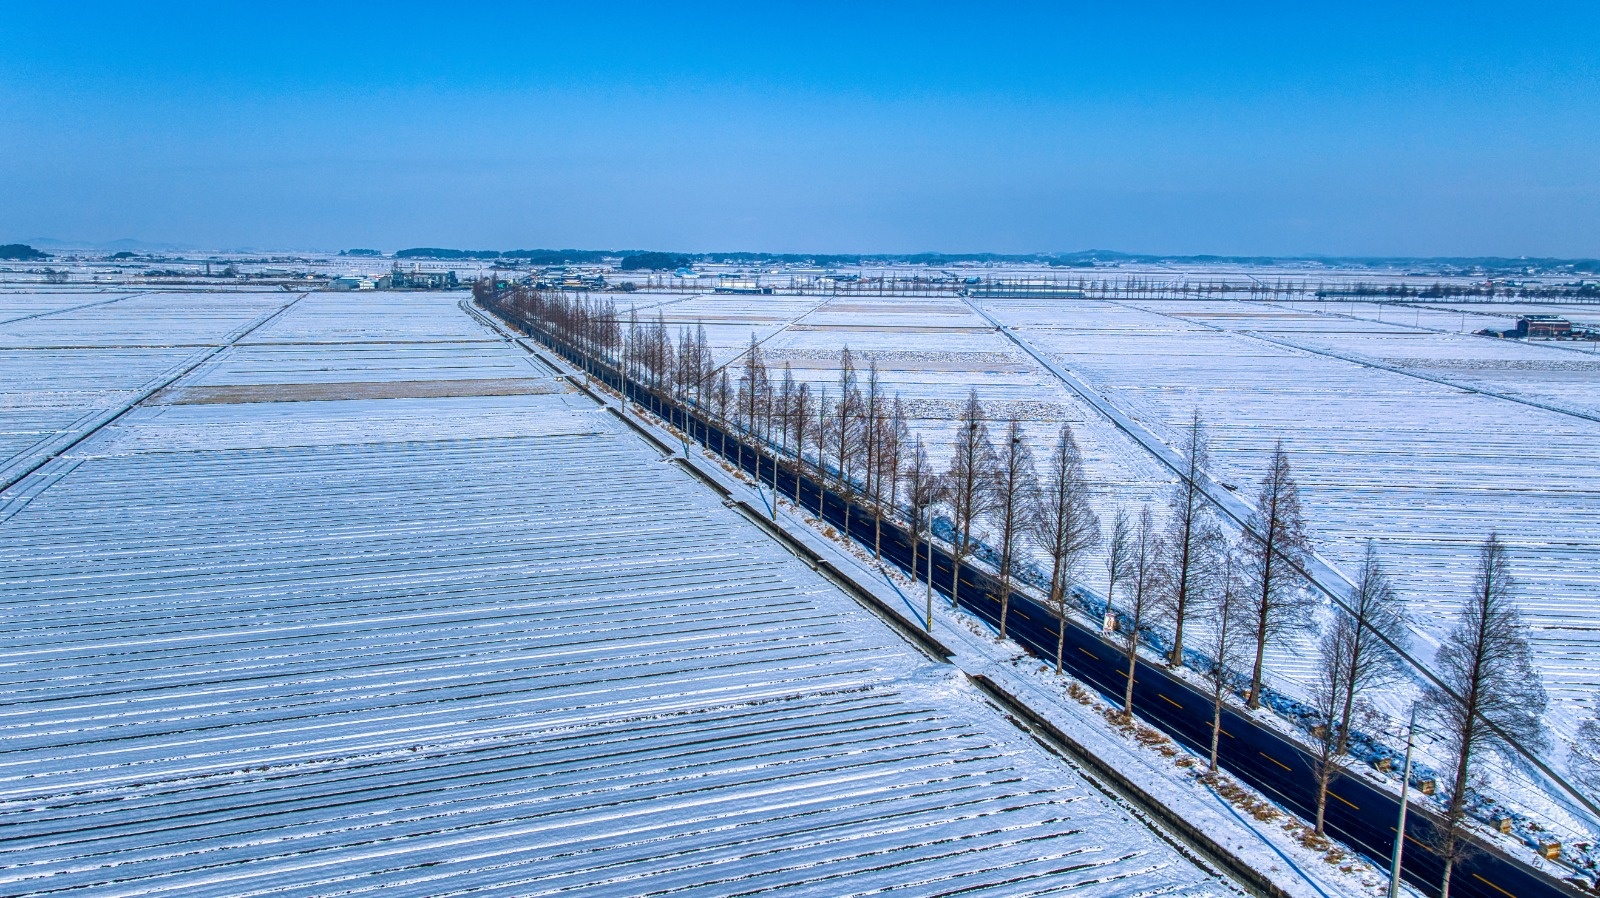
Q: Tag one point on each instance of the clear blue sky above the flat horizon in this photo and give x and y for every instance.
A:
(1450, 129)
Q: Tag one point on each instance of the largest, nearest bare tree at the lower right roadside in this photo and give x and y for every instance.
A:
(1490, 697)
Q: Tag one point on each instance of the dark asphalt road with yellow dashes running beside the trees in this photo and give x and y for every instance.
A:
(1358, 814)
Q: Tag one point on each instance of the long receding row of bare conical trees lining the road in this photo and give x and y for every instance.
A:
(1185, 583)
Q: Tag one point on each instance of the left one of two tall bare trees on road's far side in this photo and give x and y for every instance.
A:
(1193, 540)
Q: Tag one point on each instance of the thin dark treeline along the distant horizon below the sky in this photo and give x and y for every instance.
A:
(654, 260)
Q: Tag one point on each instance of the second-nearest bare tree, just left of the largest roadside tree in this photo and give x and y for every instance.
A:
(1359, 651)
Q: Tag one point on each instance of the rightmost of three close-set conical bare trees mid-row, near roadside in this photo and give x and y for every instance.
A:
(1065, 527)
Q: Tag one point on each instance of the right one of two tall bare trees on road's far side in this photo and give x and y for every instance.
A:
(1274, 555)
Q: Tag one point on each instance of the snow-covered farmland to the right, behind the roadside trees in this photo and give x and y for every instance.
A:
(1402, 428)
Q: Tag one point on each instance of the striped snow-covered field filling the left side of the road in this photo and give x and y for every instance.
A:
(447, 628)
